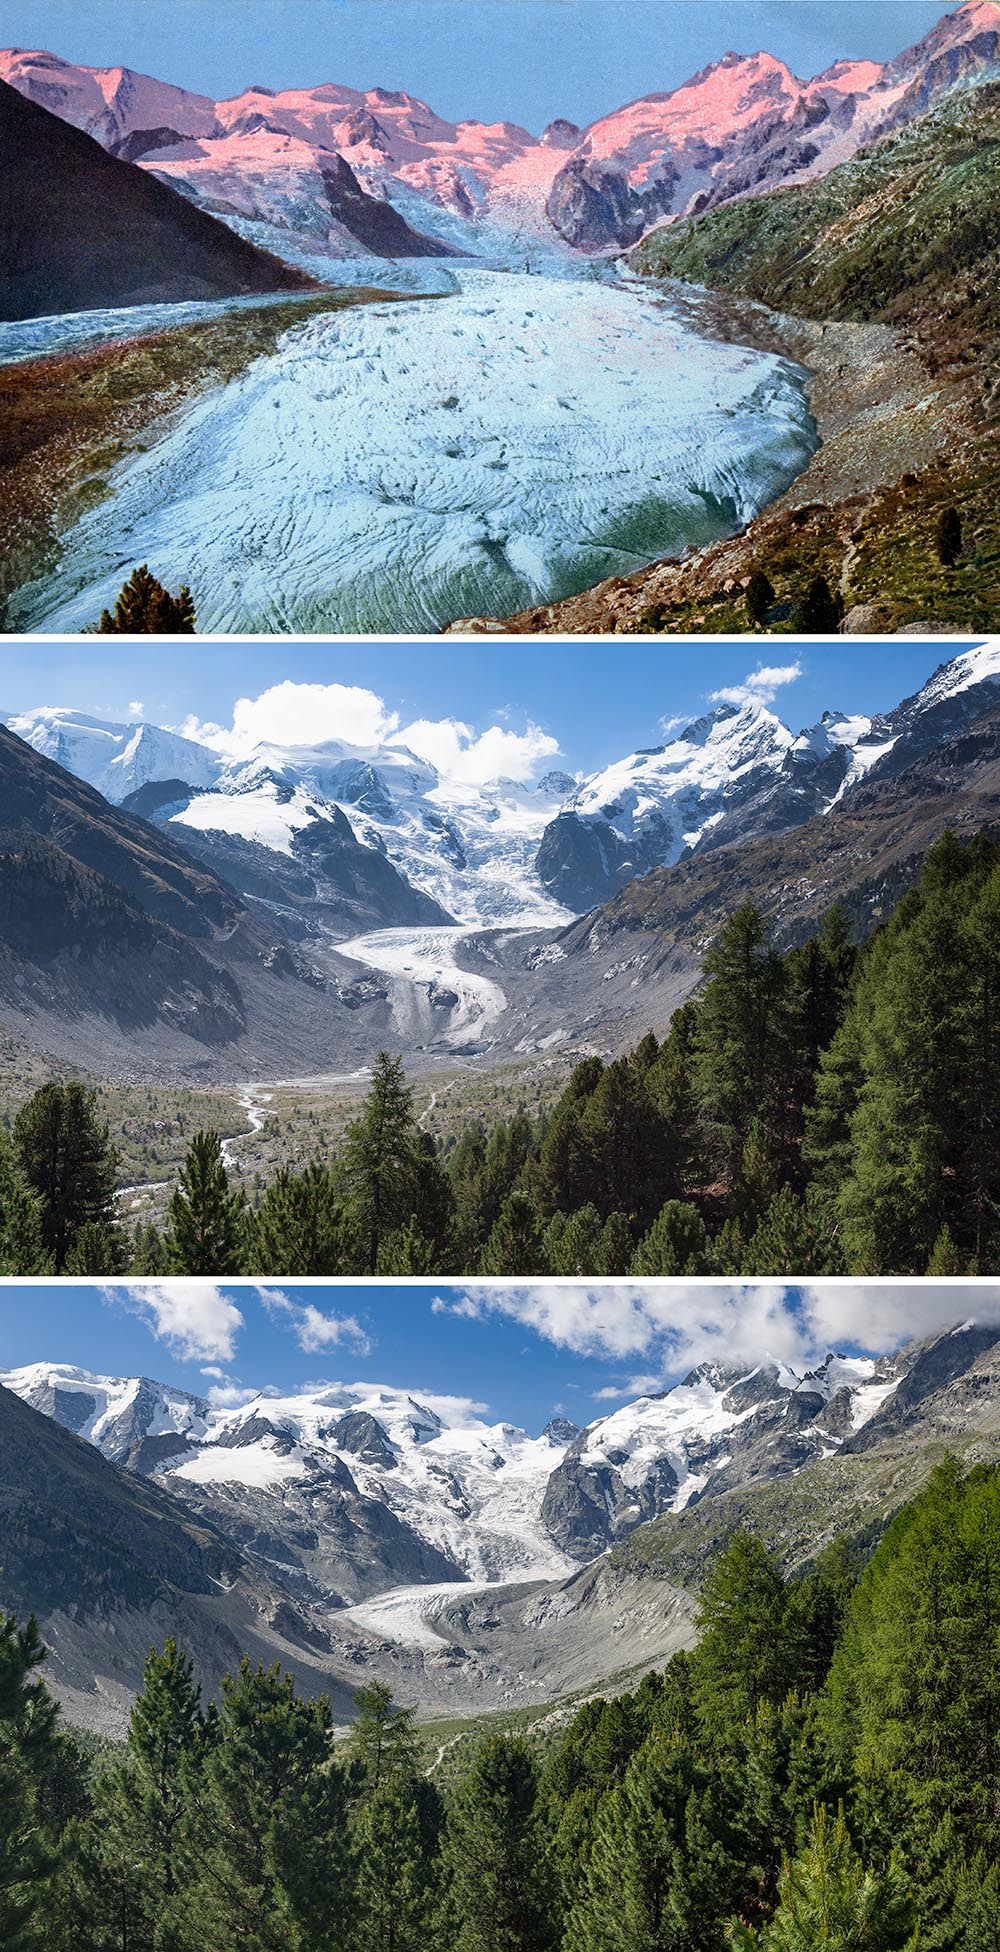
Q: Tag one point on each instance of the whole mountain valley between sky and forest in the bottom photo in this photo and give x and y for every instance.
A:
(358, 1527)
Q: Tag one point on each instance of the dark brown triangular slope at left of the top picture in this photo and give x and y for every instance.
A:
(83, 229)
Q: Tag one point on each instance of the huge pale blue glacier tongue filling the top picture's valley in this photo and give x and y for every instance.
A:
(399, 466)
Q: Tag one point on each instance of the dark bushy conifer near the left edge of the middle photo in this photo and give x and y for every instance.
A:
(69, 1162)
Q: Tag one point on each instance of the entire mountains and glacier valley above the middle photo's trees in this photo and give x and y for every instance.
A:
(214, 916)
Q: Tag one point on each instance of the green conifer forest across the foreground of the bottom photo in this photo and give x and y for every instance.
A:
(817, 1775)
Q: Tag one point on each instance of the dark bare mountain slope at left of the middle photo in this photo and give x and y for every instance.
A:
(122, 950)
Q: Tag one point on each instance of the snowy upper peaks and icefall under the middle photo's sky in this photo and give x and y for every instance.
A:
(501, 854)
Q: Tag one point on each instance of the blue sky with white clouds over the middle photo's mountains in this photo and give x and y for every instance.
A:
(595, 702)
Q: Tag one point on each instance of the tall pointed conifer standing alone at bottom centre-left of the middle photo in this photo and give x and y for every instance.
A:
(382, 1160)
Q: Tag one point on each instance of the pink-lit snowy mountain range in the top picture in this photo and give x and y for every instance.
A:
(302, 169)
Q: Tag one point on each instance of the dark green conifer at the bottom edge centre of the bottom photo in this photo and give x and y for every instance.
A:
(495, 1889)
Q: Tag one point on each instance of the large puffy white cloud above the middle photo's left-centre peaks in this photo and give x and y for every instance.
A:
(300, 715)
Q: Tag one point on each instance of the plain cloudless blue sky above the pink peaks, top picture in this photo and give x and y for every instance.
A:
(478, 60)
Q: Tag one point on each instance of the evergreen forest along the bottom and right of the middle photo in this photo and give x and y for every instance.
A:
(825, 1110)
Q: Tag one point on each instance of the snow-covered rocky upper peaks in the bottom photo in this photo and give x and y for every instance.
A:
(487, 1500)
